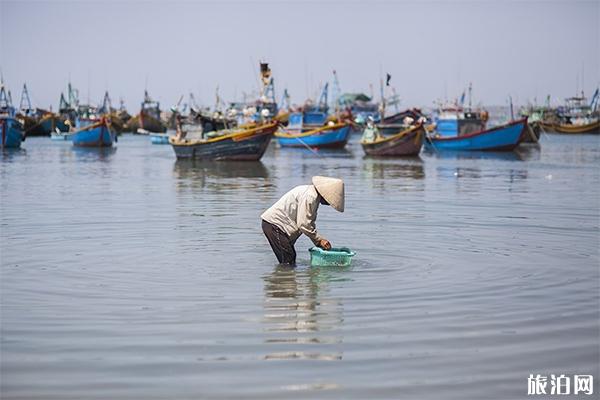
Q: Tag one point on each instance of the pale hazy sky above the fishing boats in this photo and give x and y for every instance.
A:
(432, 49)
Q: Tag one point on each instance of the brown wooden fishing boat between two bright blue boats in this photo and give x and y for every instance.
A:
(405, 142)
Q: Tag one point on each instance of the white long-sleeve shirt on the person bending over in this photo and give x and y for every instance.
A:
(296, 212)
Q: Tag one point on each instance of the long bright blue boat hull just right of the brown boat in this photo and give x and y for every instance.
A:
(500, 138)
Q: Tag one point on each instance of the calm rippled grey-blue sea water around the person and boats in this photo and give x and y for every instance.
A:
(126, 274)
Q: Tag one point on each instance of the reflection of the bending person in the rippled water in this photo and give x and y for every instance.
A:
(302, 319)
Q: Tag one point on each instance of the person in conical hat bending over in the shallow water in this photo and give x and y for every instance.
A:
(295, 213)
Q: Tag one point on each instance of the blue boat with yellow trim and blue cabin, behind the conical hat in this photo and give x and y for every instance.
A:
(310, 129)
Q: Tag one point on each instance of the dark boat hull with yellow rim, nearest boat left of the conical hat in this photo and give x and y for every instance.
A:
(237, 144)
